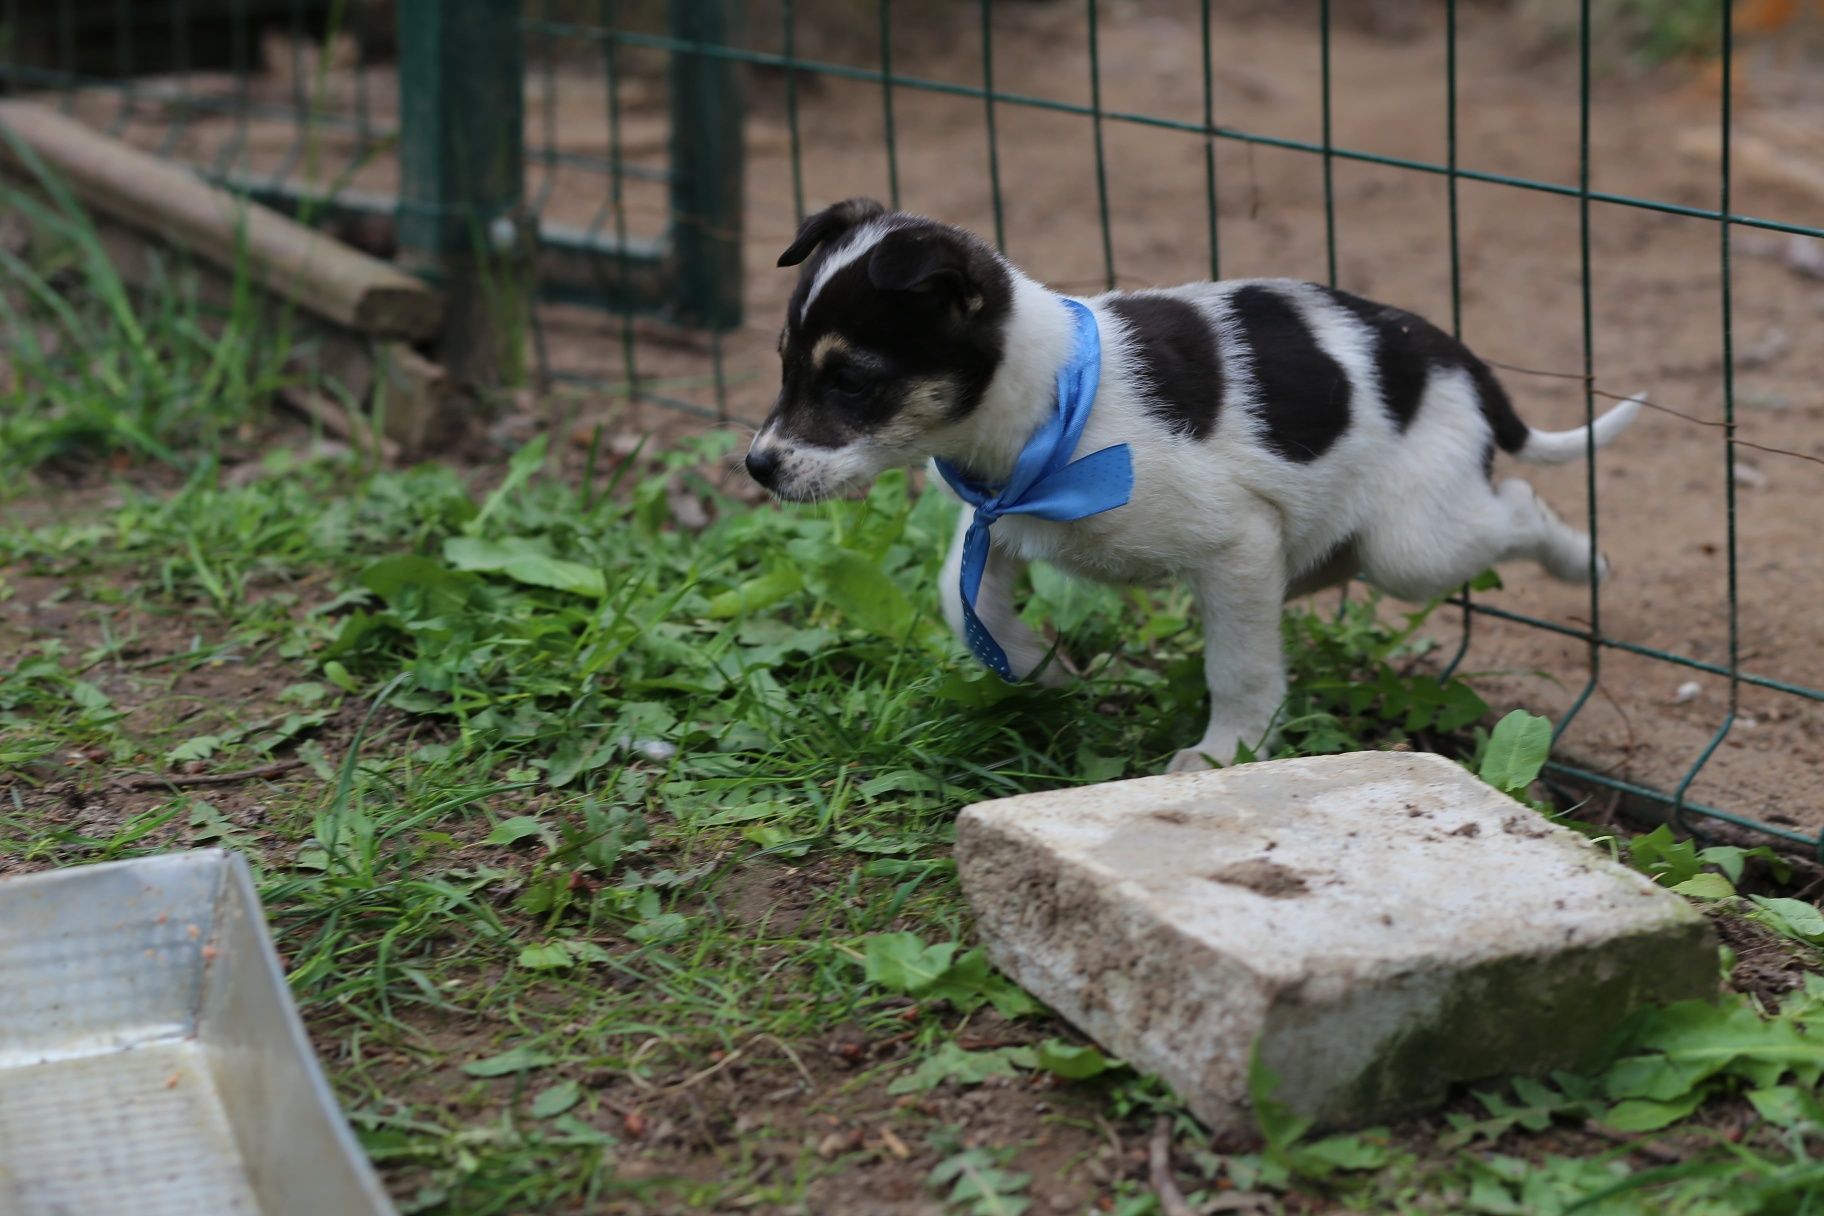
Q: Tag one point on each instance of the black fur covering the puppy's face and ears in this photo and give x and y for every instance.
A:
(935, 311)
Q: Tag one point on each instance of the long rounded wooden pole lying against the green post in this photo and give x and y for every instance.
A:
(322, 276)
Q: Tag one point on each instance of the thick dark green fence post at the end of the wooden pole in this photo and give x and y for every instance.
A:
(462, 176)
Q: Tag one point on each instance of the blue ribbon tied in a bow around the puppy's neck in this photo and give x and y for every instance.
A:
(1046, 482)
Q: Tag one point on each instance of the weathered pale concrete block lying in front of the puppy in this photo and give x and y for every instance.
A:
(1382, 925)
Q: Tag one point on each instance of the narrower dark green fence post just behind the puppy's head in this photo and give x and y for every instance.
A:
(707, 165)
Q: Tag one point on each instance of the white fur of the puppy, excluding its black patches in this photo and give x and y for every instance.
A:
(1245, 528)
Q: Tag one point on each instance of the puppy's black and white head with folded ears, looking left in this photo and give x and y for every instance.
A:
(893, 336)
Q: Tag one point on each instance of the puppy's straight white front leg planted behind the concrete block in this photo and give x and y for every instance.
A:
(1241, 599)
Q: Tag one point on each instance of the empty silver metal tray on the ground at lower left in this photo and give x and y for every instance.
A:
(150, 1056)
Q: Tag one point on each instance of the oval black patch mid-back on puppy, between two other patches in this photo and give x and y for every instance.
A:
(1303, 393)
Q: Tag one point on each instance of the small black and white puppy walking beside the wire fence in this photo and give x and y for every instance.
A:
(1285, 437)
